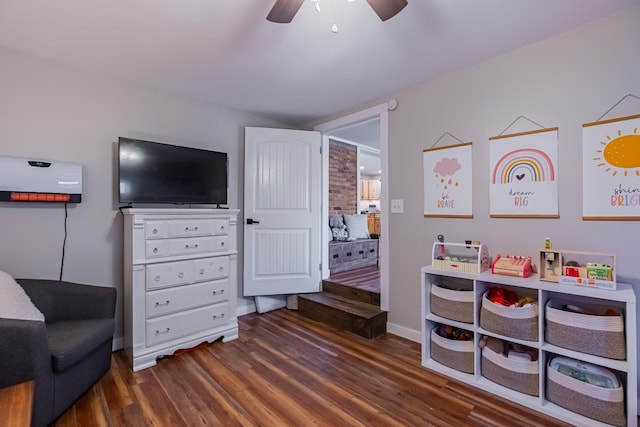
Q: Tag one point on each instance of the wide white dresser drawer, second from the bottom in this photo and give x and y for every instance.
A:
(166, 301)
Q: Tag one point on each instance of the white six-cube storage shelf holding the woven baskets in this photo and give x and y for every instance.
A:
(535, 396)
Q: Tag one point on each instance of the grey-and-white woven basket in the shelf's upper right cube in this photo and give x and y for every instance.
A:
(597, 335)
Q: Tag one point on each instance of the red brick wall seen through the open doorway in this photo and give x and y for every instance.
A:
(343, 184)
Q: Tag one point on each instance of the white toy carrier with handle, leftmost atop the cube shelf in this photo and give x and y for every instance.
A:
(470, 257)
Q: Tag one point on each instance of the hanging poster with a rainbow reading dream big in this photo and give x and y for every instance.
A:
(523, 174)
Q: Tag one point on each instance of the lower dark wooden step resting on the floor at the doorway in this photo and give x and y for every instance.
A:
(362, 319)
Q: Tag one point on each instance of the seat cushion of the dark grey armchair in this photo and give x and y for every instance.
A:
(71, 341)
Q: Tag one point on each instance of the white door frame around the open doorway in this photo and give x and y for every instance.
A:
(380, 112)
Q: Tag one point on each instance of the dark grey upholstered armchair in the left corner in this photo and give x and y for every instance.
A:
(66, 354)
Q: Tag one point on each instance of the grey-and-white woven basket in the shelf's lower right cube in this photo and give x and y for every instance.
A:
(601, 404)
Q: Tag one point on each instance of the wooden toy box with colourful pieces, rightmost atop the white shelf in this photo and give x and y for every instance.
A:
(595, 270)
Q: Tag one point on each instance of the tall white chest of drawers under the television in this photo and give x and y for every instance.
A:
(180, 280)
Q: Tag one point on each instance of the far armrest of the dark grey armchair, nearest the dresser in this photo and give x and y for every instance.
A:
(63, 301)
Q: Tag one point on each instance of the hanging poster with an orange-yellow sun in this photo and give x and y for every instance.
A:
(611, 169)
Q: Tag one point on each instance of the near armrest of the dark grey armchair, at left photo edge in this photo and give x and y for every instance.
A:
(25, 352)
